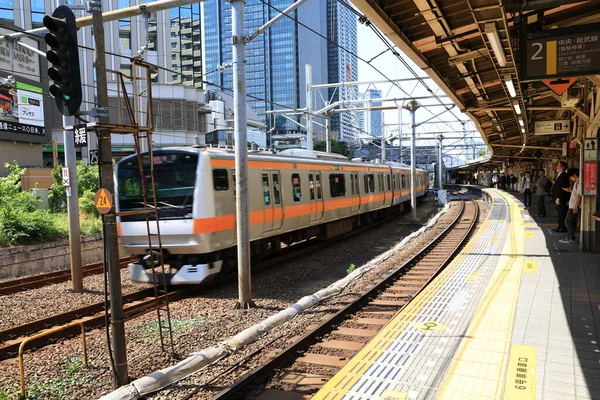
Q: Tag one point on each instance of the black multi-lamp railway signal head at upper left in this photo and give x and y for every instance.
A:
(64, 57)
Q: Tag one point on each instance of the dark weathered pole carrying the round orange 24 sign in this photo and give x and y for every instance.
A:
(111, 244)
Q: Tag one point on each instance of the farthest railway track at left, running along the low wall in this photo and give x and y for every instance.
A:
(48, 278)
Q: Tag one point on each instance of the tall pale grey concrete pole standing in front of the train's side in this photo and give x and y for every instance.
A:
(241, 154)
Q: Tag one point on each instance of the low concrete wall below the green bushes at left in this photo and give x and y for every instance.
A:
(25, 260)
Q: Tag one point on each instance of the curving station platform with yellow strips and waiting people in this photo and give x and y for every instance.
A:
(514, 316)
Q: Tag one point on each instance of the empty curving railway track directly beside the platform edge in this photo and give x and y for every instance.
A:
(307, 364)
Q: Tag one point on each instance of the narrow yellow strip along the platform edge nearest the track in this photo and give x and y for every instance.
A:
(352, 371)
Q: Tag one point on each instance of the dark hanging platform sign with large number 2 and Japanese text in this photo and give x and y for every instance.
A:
(561, 53)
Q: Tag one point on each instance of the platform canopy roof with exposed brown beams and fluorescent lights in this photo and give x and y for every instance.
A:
(471, 49)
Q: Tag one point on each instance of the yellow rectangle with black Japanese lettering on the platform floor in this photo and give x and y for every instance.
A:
(522, 370)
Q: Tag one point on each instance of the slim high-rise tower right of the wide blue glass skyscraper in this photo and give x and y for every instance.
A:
(342, 65)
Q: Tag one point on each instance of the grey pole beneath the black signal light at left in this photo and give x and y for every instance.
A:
(73, 207)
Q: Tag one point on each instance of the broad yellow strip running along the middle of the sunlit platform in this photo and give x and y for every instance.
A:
(495, 313)
